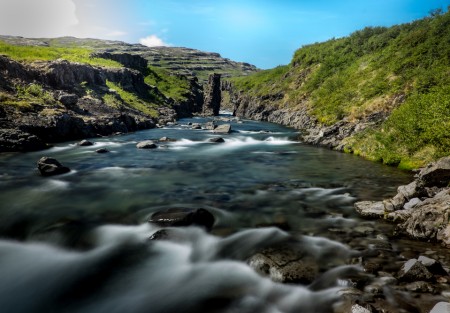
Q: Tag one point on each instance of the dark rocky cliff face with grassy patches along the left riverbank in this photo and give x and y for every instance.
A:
(53, 101)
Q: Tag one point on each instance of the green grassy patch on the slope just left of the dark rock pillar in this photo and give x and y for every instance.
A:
(172, 86)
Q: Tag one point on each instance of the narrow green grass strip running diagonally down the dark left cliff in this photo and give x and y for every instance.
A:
(129, 99)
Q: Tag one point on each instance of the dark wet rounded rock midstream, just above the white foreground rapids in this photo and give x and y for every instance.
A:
(183, 217)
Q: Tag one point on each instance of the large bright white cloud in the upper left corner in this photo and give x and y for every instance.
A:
(32, 18)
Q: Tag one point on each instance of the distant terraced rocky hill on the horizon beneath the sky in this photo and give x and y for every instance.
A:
(185, 61)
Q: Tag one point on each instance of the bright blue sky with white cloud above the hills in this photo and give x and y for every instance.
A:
(265, 33)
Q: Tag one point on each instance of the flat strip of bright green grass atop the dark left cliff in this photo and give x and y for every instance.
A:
(38, 53)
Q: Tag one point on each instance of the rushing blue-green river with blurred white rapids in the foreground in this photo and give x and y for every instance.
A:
(79, 242)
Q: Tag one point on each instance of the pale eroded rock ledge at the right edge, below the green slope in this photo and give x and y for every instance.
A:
(421, 209)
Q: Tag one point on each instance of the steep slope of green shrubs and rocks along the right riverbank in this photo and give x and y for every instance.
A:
(382, 93)
